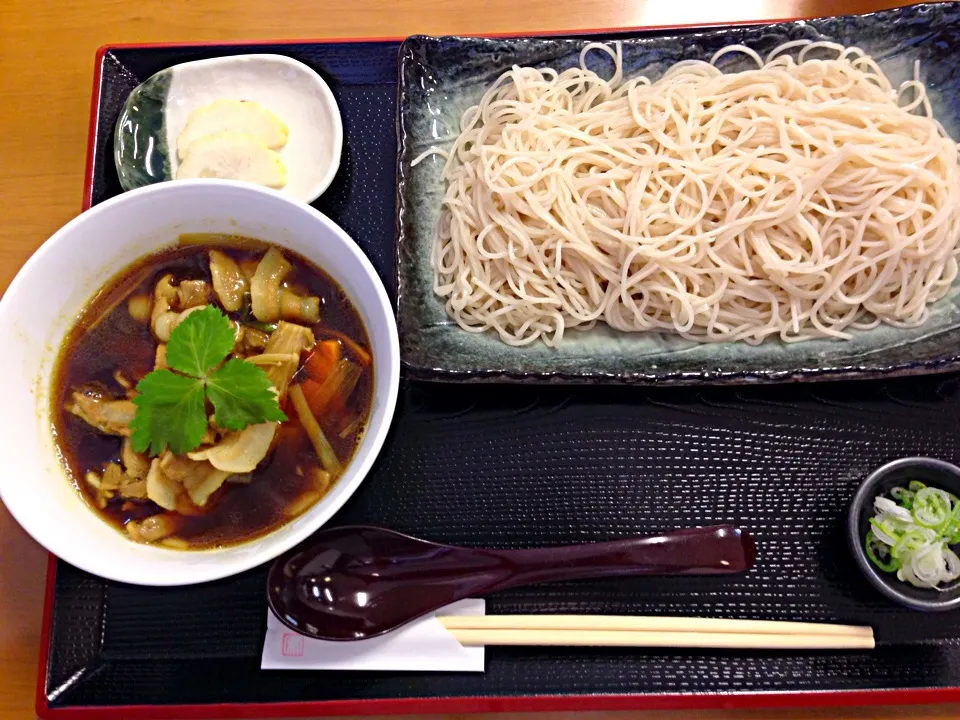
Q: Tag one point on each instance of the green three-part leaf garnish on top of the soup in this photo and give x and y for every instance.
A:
(172, 404)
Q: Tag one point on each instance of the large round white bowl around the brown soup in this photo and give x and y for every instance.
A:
(42, 304)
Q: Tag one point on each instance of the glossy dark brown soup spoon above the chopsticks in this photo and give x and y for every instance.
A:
(351, 583)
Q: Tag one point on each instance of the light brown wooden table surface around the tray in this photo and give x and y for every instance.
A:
(46, 63)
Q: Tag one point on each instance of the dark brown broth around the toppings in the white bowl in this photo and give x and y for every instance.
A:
(116, 341)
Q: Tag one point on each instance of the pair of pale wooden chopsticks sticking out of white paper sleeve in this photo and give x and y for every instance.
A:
(634, 631)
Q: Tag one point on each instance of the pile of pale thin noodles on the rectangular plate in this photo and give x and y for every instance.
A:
(801, 199)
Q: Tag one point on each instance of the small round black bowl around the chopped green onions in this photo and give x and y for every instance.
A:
(935, 473)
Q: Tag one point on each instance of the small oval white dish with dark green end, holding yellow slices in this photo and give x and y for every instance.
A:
(294, 98)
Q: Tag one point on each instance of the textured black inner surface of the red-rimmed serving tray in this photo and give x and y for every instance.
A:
(518, 466)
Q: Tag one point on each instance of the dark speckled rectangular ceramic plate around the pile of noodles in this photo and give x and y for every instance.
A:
(441, 77)
